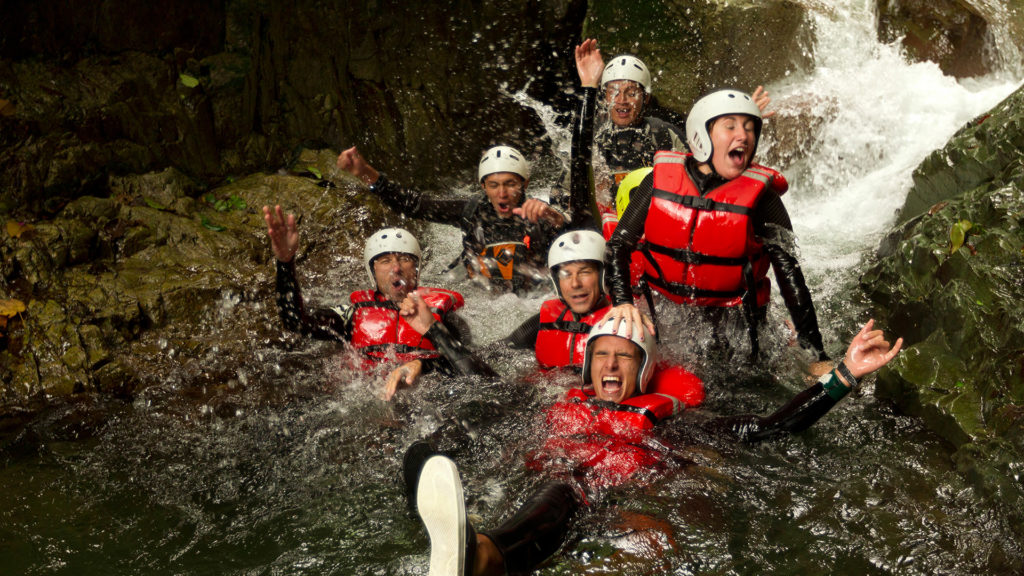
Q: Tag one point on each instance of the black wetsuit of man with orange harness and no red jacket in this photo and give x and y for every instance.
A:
(480, 224)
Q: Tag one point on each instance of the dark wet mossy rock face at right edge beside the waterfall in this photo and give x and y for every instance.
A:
(951, 281)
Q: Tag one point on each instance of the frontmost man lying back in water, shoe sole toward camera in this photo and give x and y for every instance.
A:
(613, 414)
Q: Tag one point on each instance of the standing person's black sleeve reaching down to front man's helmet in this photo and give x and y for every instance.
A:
(624, 241)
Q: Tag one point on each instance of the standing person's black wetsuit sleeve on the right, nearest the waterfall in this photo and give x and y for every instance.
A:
(774, 225)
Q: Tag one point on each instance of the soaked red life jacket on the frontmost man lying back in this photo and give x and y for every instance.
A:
(608, 439)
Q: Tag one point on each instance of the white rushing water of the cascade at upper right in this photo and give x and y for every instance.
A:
(878, 116)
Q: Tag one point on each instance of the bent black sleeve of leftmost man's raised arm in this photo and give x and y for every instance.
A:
(319, 323)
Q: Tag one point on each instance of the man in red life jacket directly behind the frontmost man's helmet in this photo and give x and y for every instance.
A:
(559, 333)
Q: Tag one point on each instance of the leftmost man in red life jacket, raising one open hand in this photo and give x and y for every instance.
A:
(370, 322)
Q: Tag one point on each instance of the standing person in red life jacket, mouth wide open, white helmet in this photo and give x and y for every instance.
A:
(712, 224)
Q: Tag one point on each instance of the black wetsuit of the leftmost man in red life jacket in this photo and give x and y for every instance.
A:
(336, 324)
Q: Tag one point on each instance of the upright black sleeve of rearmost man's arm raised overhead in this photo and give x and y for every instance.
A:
(583, 208)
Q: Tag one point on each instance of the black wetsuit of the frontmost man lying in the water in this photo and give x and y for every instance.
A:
(539, 528)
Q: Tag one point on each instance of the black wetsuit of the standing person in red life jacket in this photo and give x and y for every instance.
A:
(772, 223)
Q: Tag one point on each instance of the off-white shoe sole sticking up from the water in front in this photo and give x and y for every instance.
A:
(443, 509)
